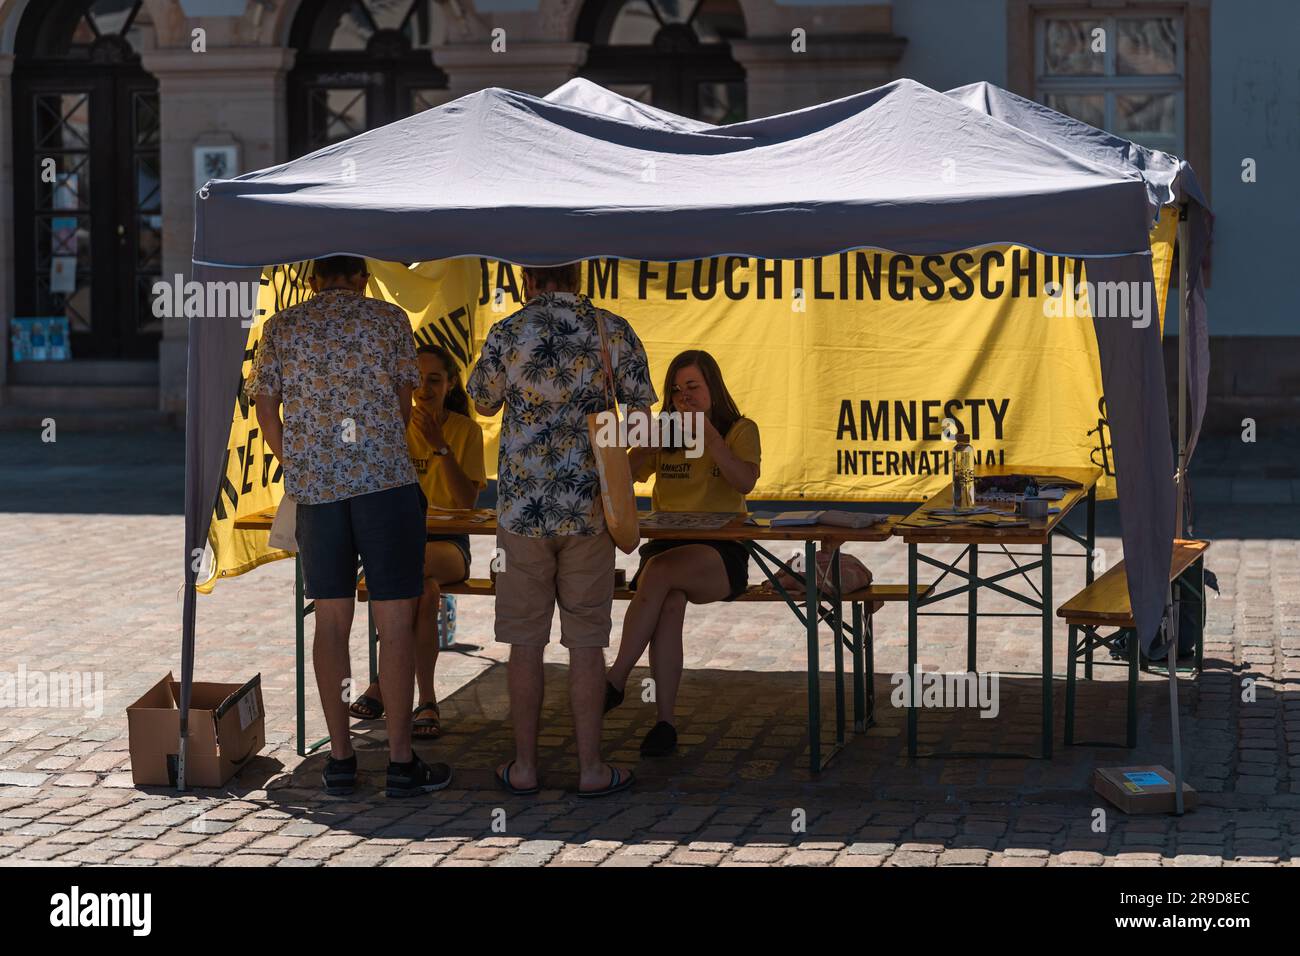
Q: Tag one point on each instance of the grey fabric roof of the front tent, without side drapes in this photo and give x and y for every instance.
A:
(512, 176)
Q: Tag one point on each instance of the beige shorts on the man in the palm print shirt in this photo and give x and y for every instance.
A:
(575, 572)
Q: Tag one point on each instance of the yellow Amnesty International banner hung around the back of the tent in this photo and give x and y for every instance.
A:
(851, 365)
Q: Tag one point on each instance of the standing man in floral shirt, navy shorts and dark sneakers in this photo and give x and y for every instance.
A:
(343, 367)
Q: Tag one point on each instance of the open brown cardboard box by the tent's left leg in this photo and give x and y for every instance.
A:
(227, 730)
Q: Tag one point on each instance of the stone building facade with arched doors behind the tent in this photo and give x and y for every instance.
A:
(112, 113)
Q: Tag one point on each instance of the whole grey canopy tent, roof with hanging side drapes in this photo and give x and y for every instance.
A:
(521, 179)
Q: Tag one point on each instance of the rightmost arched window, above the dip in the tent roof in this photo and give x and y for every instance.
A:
(670, 54)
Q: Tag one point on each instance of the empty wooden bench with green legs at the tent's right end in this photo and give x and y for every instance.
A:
(1104, 604)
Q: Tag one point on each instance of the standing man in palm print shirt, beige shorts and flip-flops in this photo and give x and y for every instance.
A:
(544, 366)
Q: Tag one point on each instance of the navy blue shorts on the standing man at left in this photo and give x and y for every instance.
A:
(385, 530)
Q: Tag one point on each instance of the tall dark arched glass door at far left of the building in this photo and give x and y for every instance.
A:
(88, 198)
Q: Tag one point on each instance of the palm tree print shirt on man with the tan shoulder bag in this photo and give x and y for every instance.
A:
(544, 365)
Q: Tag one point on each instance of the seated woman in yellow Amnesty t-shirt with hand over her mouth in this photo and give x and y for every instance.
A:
(677, 573)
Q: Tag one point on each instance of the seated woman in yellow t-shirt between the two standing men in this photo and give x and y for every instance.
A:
(448, 452)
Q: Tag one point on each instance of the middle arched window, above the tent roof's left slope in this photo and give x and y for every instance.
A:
(362, 64)
